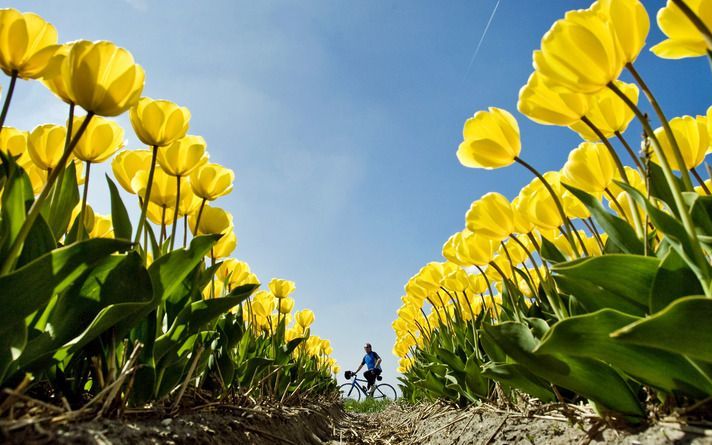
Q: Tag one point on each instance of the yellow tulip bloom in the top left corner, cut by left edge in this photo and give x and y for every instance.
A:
(27, 43)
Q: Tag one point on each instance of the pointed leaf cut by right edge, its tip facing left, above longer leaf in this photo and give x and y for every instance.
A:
(682, 327)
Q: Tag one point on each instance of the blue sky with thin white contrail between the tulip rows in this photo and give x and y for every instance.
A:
(341, 121)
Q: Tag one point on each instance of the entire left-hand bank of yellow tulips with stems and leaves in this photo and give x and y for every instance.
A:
(110, 313)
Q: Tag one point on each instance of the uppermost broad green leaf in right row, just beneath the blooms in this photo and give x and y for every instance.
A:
(616, 281)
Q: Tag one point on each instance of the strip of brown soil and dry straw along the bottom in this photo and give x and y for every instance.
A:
(323, 423)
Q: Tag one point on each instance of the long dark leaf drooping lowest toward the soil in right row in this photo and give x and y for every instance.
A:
(583, 375)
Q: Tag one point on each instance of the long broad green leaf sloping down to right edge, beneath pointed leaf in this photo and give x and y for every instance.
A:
(589, 336)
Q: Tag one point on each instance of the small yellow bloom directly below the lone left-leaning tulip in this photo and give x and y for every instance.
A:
(491, 216)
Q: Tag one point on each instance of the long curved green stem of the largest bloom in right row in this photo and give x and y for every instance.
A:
(698, 254)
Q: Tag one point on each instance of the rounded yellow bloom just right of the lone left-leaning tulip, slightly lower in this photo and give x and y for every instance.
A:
(590, 168)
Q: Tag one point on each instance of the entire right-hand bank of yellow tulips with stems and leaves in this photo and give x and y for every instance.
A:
(594, 285)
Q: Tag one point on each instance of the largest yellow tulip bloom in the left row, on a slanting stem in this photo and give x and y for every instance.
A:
(101, 77)
